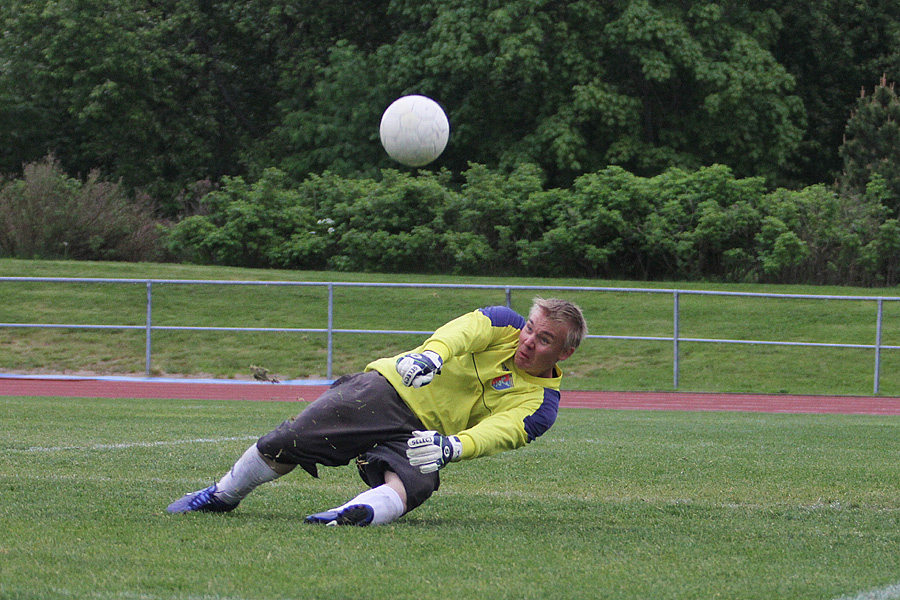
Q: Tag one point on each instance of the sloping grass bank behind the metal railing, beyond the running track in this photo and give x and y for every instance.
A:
(599, 364)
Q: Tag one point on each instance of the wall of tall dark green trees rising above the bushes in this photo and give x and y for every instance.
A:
(166, 93)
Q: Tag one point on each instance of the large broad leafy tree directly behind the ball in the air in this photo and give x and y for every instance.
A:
(572, 87)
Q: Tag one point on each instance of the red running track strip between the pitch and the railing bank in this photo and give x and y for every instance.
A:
(292, 392)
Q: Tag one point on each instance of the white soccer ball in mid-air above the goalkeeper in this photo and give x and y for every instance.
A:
(414, 130)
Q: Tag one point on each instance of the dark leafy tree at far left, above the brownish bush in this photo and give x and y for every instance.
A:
(109, 88)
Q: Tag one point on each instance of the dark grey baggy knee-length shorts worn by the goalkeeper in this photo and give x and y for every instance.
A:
(360, 417)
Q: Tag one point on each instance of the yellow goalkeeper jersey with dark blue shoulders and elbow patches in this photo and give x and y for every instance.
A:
(479, 394)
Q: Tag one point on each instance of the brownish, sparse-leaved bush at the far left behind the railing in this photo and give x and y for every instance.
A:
(46, 214)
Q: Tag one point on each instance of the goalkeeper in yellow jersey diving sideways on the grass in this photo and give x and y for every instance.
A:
(483, 383)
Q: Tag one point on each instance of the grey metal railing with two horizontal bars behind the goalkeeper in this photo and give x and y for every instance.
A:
(676, 338)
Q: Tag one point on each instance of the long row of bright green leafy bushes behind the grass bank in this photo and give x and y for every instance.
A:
(689, 225)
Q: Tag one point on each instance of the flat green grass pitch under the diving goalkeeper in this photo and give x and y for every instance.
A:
(609, 504)
